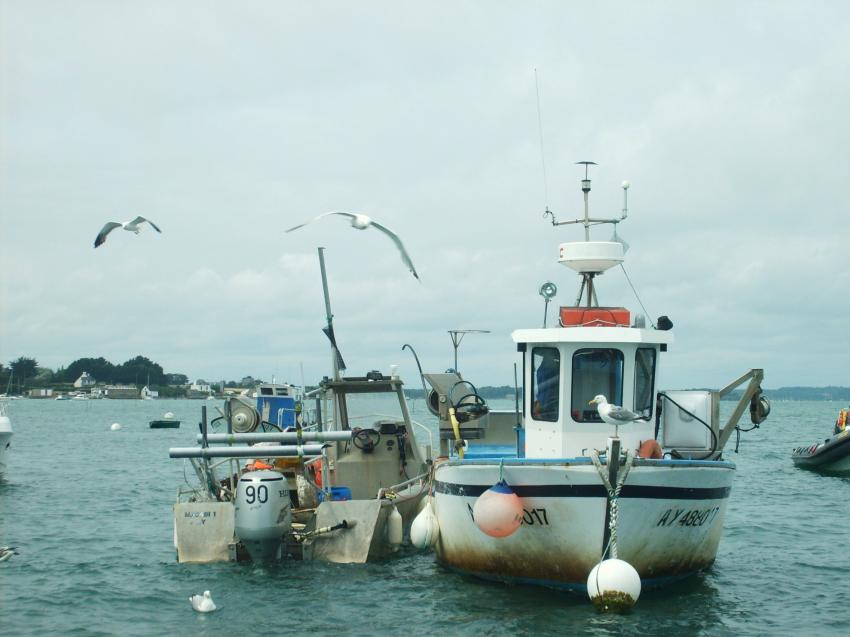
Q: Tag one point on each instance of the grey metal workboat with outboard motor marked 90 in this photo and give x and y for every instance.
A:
(278, 479)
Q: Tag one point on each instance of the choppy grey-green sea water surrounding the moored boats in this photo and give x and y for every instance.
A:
(90, 512)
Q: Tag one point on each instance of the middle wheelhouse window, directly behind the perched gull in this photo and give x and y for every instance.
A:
(595, 371)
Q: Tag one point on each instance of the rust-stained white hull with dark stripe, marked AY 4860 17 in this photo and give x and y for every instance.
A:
(669, 523)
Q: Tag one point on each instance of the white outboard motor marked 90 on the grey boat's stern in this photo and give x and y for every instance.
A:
(263, 513)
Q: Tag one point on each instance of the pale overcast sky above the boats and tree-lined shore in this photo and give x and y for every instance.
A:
(228, 123)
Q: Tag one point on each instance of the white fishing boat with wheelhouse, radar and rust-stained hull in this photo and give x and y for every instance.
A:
(557, 489)
